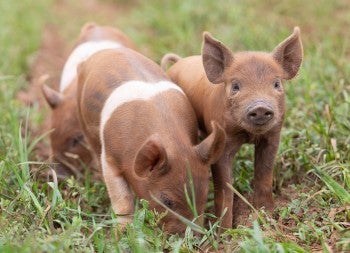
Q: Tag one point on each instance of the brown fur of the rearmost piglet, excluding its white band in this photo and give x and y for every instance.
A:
(68, 146)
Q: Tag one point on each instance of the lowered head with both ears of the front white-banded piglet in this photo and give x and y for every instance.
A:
(165, 173)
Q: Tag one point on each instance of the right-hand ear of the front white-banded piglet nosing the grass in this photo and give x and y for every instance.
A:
(211, 148)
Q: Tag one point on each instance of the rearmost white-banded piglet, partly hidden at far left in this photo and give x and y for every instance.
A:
(68, 146)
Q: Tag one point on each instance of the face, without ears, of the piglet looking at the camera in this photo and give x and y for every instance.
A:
(254, 93)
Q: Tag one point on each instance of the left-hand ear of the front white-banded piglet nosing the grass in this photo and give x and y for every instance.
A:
(151, 158)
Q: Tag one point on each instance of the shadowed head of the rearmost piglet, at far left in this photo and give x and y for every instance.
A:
(68, 147)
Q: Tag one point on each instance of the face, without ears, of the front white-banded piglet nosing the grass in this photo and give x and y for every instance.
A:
(169, 189)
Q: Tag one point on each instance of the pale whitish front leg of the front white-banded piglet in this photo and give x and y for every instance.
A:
(121, 197)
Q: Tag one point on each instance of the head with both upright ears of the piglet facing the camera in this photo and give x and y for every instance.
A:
(254, 94)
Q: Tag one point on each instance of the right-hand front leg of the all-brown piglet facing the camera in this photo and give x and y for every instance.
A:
(265, 153)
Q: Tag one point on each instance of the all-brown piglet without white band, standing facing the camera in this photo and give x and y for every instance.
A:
(244, 93)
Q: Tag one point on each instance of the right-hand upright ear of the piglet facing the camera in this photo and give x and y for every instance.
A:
(289, 54)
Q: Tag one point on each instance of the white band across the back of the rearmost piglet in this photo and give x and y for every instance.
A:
(80, 54)
